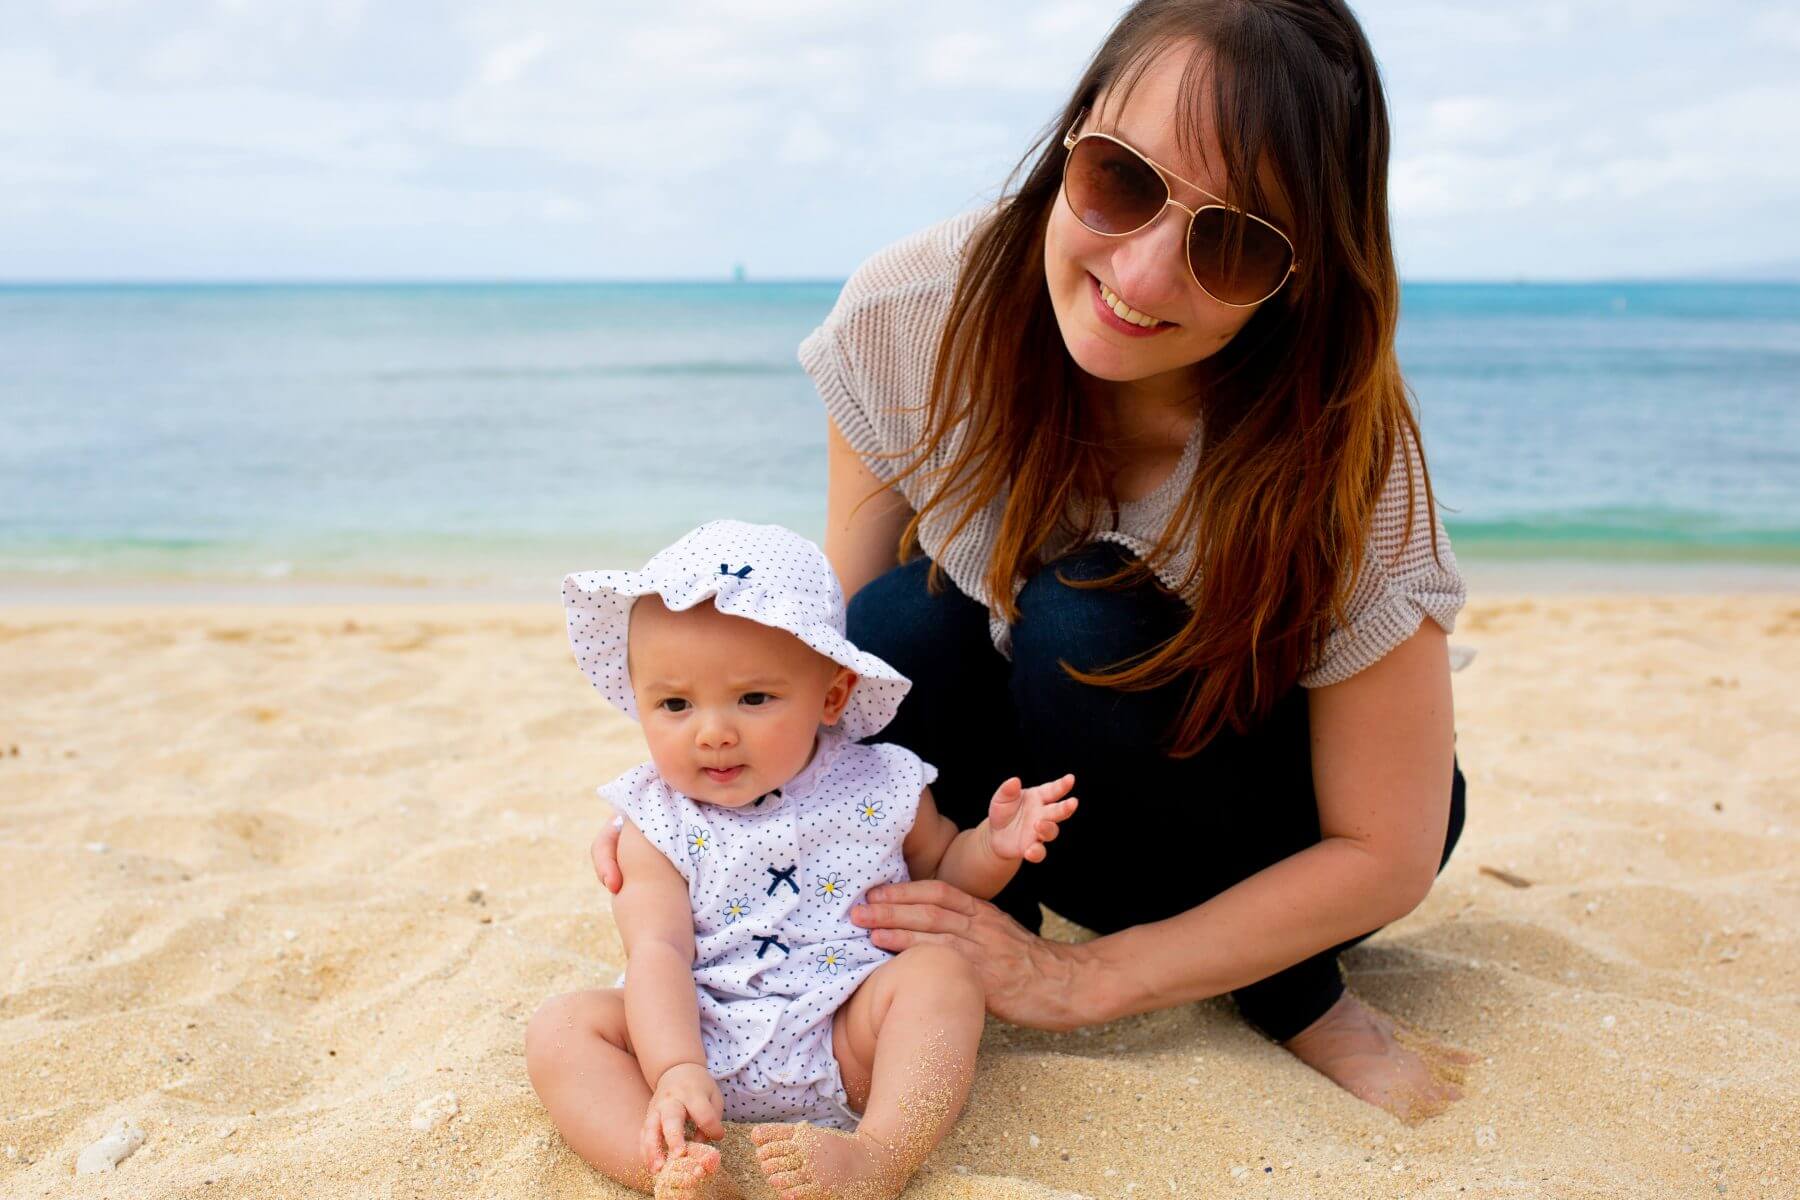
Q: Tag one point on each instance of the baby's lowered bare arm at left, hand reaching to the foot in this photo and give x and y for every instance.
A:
(661, 1012)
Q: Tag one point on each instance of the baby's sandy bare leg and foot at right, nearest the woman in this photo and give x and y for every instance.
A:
(906, 1046)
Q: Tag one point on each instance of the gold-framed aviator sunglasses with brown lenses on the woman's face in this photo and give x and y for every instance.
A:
(1237, 258)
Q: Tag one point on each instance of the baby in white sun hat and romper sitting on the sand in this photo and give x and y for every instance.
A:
(755, 828)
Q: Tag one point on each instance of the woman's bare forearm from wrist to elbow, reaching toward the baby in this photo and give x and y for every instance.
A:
(1290, 911)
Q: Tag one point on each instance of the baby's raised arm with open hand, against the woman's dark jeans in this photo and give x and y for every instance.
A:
(984, 861)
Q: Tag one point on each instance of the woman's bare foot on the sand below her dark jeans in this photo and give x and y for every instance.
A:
(1374, 1059)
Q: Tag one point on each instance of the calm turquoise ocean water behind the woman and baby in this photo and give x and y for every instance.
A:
(508, 431)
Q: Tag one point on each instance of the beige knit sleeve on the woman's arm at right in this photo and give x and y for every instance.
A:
(1401, 582)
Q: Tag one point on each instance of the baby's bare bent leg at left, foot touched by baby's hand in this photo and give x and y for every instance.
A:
(579, 1055)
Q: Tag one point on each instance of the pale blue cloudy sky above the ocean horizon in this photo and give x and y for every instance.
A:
(593, 139)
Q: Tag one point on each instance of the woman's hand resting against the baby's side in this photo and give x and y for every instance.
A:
(1030, 981)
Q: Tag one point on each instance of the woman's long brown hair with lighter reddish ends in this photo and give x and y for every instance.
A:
(1304, 411)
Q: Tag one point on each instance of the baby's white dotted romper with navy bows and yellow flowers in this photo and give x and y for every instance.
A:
(771, 888)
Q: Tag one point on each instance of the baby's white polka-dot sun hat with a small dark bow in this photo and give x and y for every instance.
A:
(764, 573)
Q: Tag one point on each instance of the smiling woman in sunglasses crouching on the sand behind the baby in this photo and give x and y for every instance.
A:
(1140, 440)
